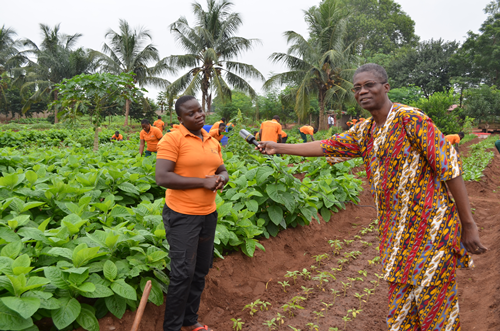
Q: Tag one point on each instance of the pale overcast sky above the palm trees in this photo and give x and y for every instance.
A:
(262, 19)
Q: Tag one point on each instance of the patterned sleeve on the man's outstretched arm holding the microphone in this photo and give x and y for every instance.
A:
(342, 147)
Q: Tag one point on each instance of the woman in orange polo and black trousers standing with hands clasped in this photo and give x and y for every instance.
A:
(190, 166)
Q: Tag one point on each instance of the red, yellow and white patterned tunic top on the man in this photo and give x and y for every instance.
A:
(407, 162)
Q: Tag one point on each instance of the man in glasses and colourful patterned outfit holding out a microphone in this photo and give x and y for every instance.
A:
(424, 234)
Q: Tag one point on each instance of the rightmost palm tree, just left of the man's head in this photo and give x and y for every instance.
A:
(321, 65)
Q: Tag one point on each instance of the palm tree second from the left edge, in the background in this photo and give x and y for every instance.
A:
(54, 60)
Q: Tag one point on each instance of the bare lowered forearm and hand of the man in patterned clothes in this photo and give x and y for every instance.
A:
(470, 234)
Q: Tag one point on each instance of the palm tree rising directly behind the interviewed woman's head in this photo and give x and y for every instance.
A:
(211, 46)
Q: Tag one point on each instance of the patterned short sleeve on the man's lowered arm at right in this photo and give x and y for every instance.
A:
(432, 144)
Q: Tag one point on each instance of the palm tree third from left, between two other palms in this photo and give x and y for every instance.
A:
(127, 52)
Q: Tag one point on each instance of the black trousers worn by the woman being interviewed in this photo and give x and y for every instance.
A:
(191, 240)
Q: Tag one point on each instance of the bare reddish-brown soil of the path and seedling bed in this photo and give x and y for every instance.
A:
(238, 280)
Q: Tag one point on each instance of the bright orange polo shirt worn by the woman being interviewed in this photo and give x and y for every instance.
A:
(193, 158)
